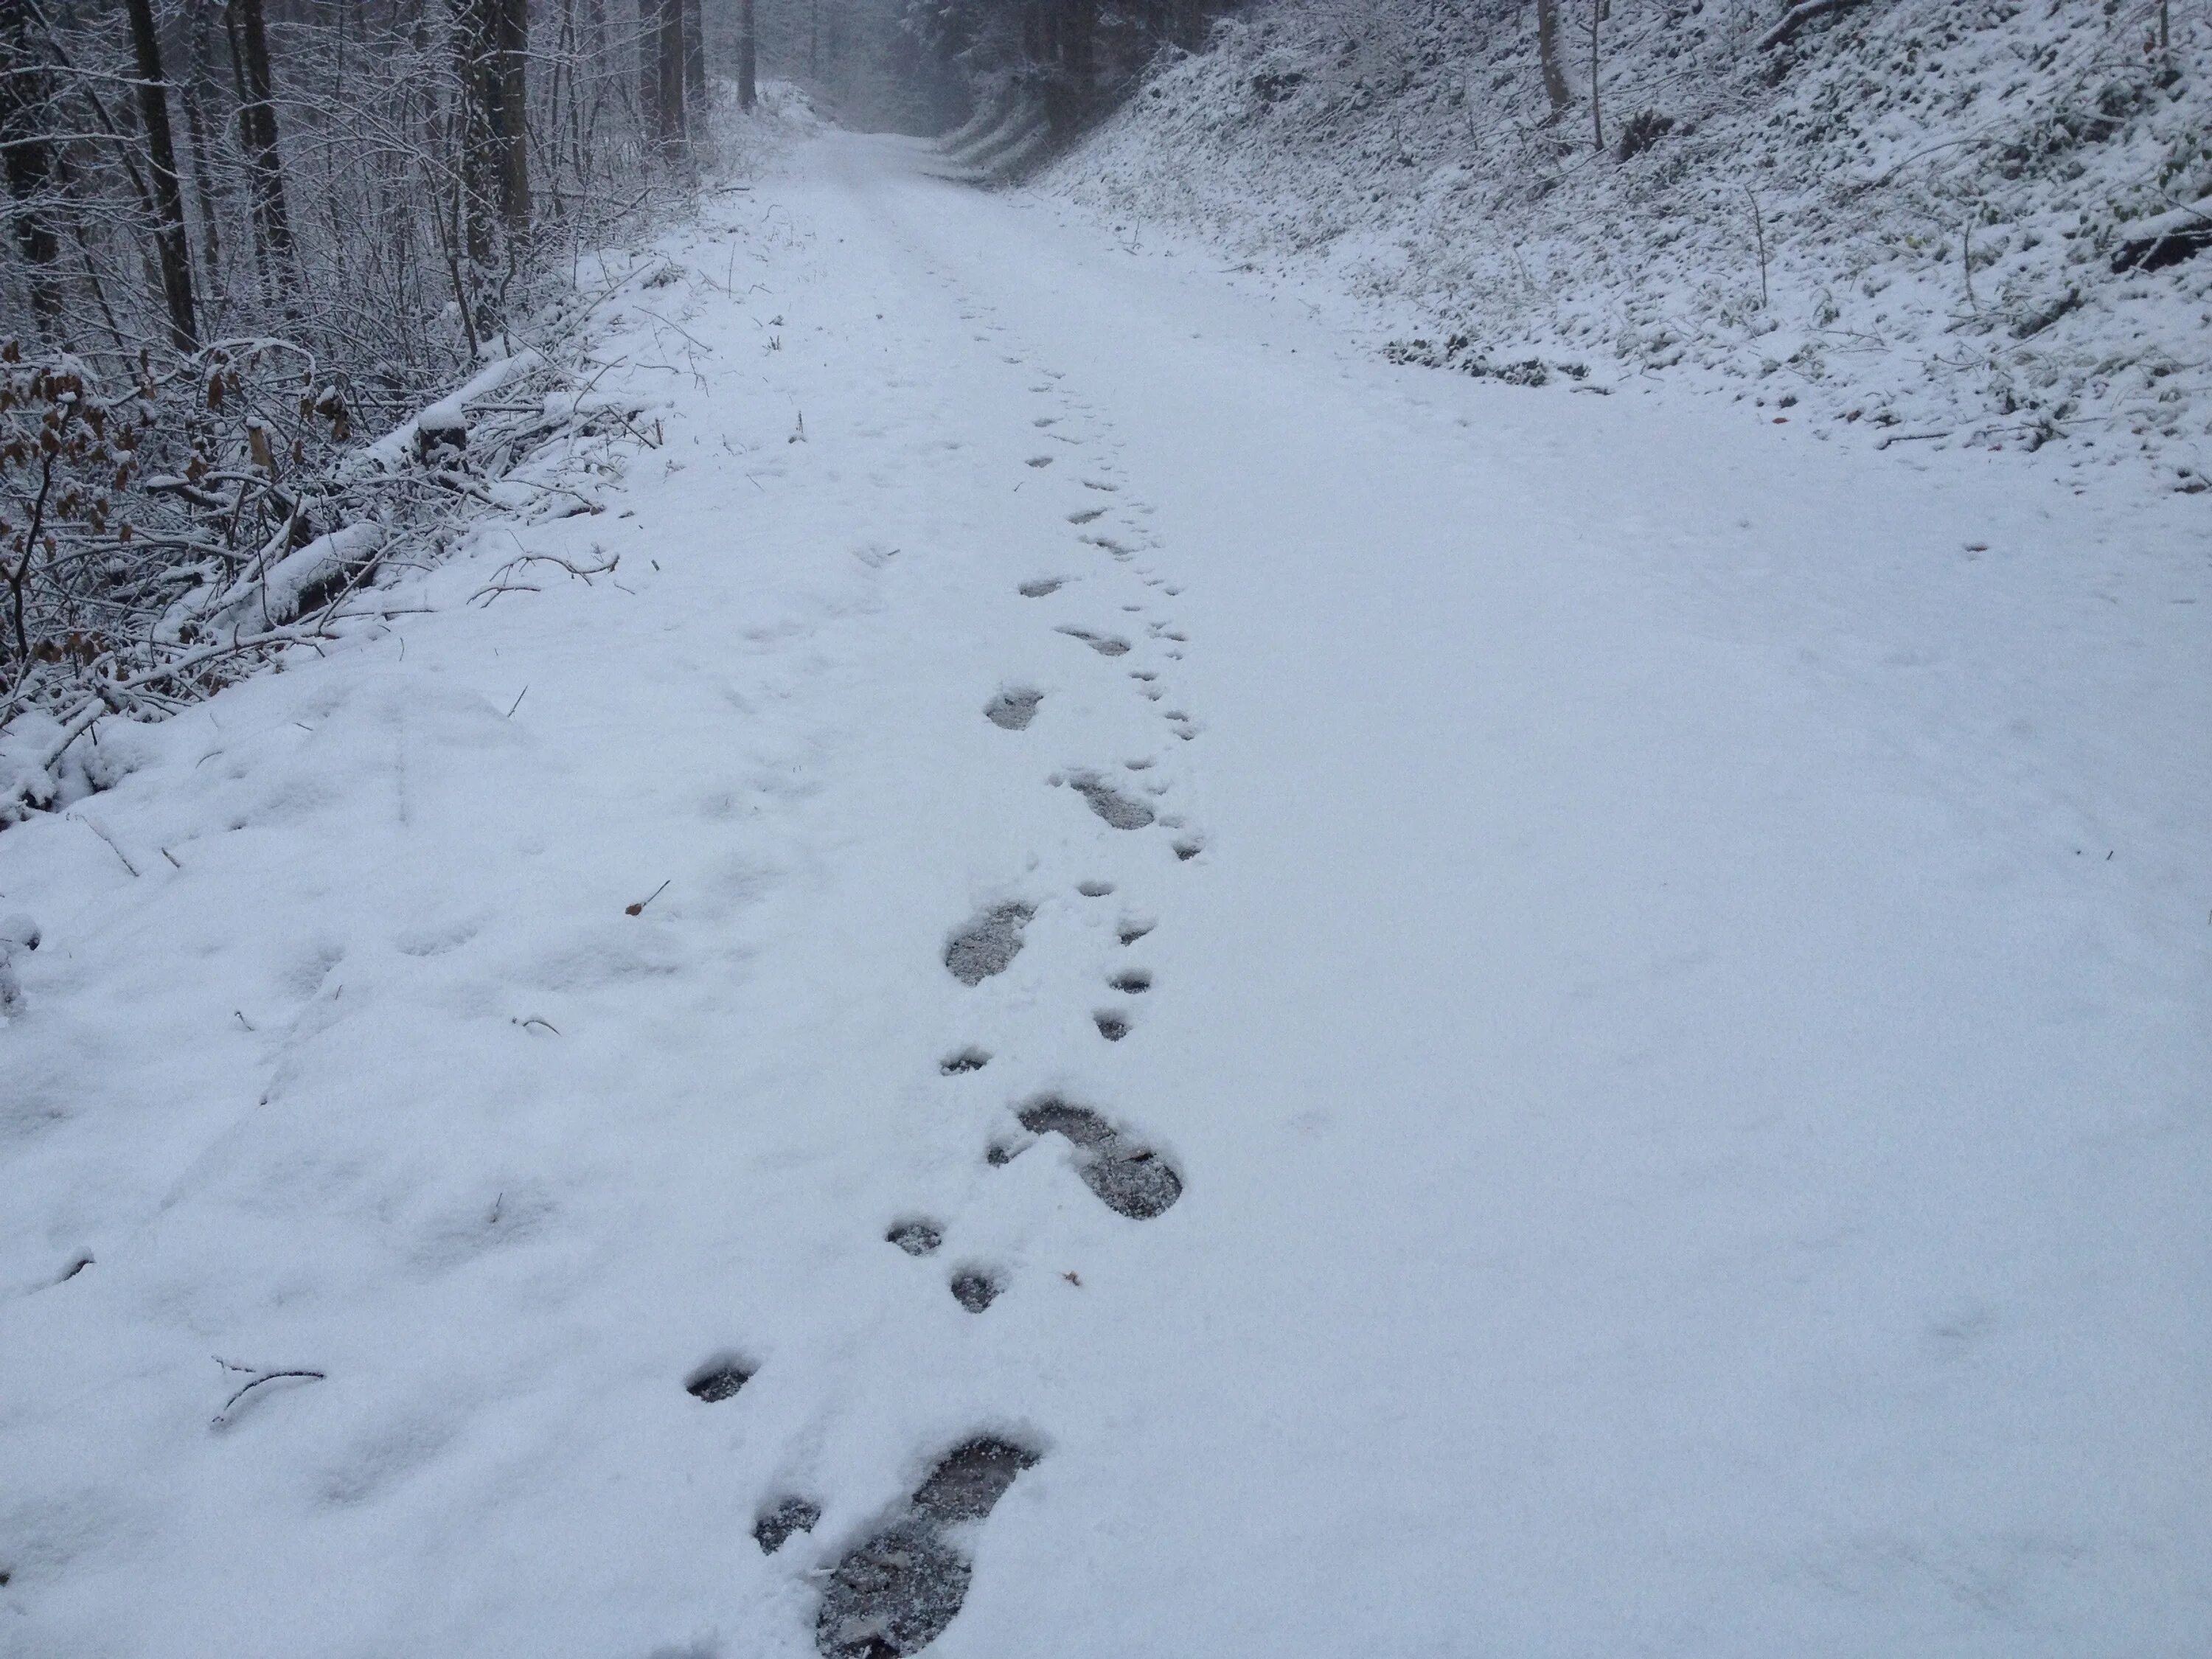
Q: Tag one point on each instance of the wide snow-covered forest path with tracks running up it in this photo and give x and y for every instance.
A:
(1667, 963)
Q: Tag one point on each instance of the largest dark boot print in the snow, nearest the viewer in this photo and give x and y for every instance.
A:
(897, 1592)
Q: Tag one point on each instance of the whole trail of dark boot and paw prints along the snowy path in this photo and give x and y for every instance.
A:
(904, 1583)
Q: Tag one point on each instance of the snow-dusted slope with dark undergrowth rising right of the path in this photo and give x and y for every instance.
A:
(1914, 222)
